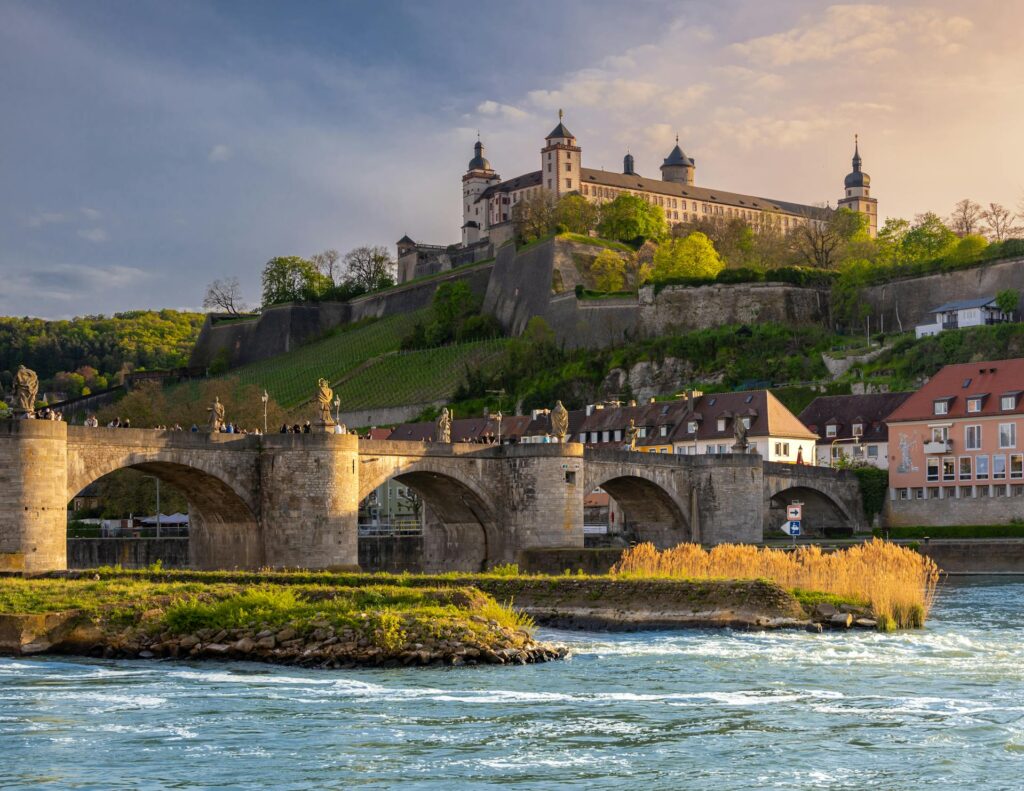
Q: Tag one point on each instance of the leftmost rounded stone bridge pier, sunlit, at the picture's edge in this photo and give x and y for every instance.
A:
(33, 507)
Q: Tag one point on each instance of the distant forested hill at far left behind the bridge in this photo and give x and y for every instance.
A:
(90, 351)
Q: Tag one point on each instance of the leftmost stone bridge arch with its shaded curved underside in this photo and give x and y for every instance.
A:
(225, 531)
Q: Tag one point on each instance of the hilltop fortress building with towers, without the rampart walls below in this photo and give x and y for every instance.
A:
(489, 201)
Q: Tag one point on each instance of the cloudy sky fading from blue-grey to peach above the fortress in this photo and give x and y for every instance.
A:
(147, 148)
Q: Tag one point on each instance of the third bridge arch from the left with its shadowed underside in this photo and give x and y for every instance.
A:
(652, 512)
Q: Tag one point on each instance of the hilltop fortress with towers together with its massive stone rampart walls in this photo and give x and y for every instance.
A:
(550, 278)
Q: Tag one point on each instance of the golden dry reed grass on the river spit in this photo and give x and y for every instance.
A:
(898, 582)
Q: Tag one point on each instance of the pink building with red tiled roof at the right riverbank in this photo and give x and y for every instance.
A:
(957, 448)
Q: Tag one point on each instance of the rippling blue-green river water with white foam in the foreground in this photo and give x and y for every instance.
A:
(940, 709)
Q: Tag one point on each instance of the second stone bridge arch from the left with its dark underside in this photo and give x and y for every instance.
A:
(461, 530)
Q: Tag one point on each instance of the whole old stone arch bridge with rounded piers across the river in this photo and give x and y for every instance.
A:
(292, 501)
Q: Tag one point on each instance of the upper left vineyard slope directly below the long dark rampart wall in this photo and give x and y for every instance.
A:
(291, 379)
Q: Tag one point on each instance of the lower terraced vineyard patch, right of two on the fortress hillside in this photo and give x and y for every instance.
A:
(415, 378)
